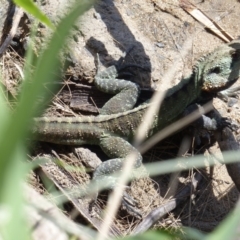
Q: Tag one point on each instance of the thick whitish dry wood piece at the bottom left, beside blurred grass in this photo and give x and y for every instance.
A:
(48, 220)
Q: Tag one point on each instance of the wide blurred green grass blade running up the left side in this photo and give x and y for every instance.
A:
(14, 126)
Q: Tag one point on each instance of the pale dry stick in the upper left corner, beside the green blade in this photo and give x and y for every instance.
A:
(16, 19)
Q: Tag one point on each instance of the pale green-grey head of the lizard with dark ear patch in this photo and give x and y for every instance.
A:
(219, 69)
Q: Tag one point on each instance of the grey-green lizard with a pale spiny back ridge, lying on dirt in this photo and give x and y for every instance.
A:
(114, 128)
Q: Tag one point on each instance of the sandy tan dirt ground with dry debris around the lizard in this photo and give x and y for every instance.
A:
(158, 30)
